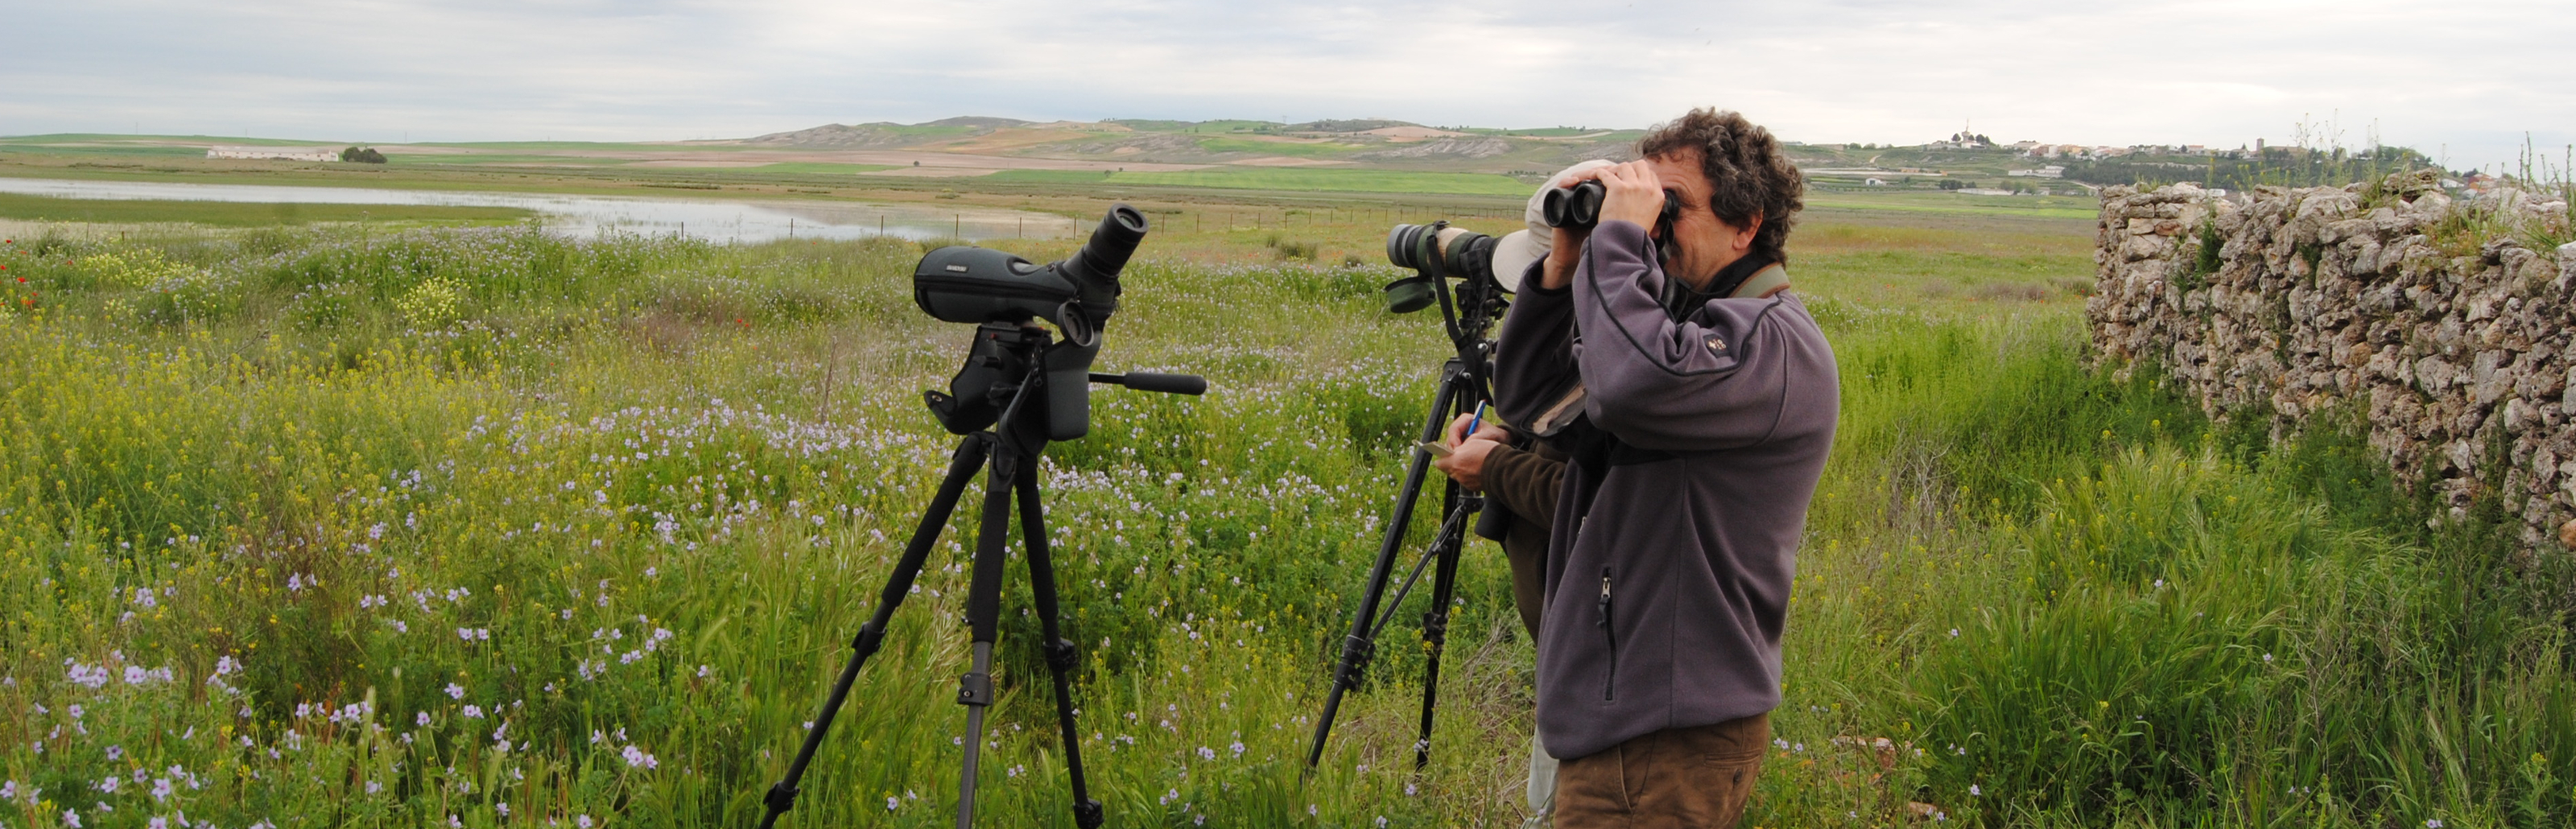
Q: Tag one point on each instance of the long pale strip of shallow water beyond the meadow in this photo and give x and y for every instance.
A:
(717, 220)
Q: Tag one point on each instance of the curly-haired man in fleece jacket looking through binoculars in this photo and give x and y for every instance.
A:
(1694, 398)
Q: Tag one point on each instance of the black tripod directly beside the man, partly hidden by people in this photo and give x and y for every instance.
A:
(1462, 387)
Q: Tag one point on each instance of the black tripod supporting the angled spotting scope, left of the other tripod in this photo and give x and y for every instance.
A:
(1011, 457)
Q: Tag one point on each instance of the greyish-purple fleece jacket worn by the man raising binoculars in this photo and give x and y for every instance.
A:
(1668, 588)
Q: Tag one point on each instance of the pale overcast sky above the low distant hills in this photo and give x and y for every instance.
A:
(2469, 79)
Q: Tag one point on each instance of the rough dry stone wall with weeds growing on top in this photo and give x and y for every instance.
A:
(2430, 315)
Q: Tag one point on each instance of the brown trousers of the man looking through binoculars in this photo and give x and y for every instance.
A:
(1668, 779)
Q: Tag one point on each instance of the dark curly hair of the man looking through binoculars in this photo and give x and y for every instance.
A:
(1745, 169)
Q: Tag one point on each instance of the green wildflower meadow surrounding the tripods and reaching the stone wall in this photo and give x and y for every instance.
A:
(313, 526)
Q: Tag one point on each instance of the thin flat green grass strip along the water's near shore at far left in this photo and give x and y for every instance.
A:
(238, 212)
